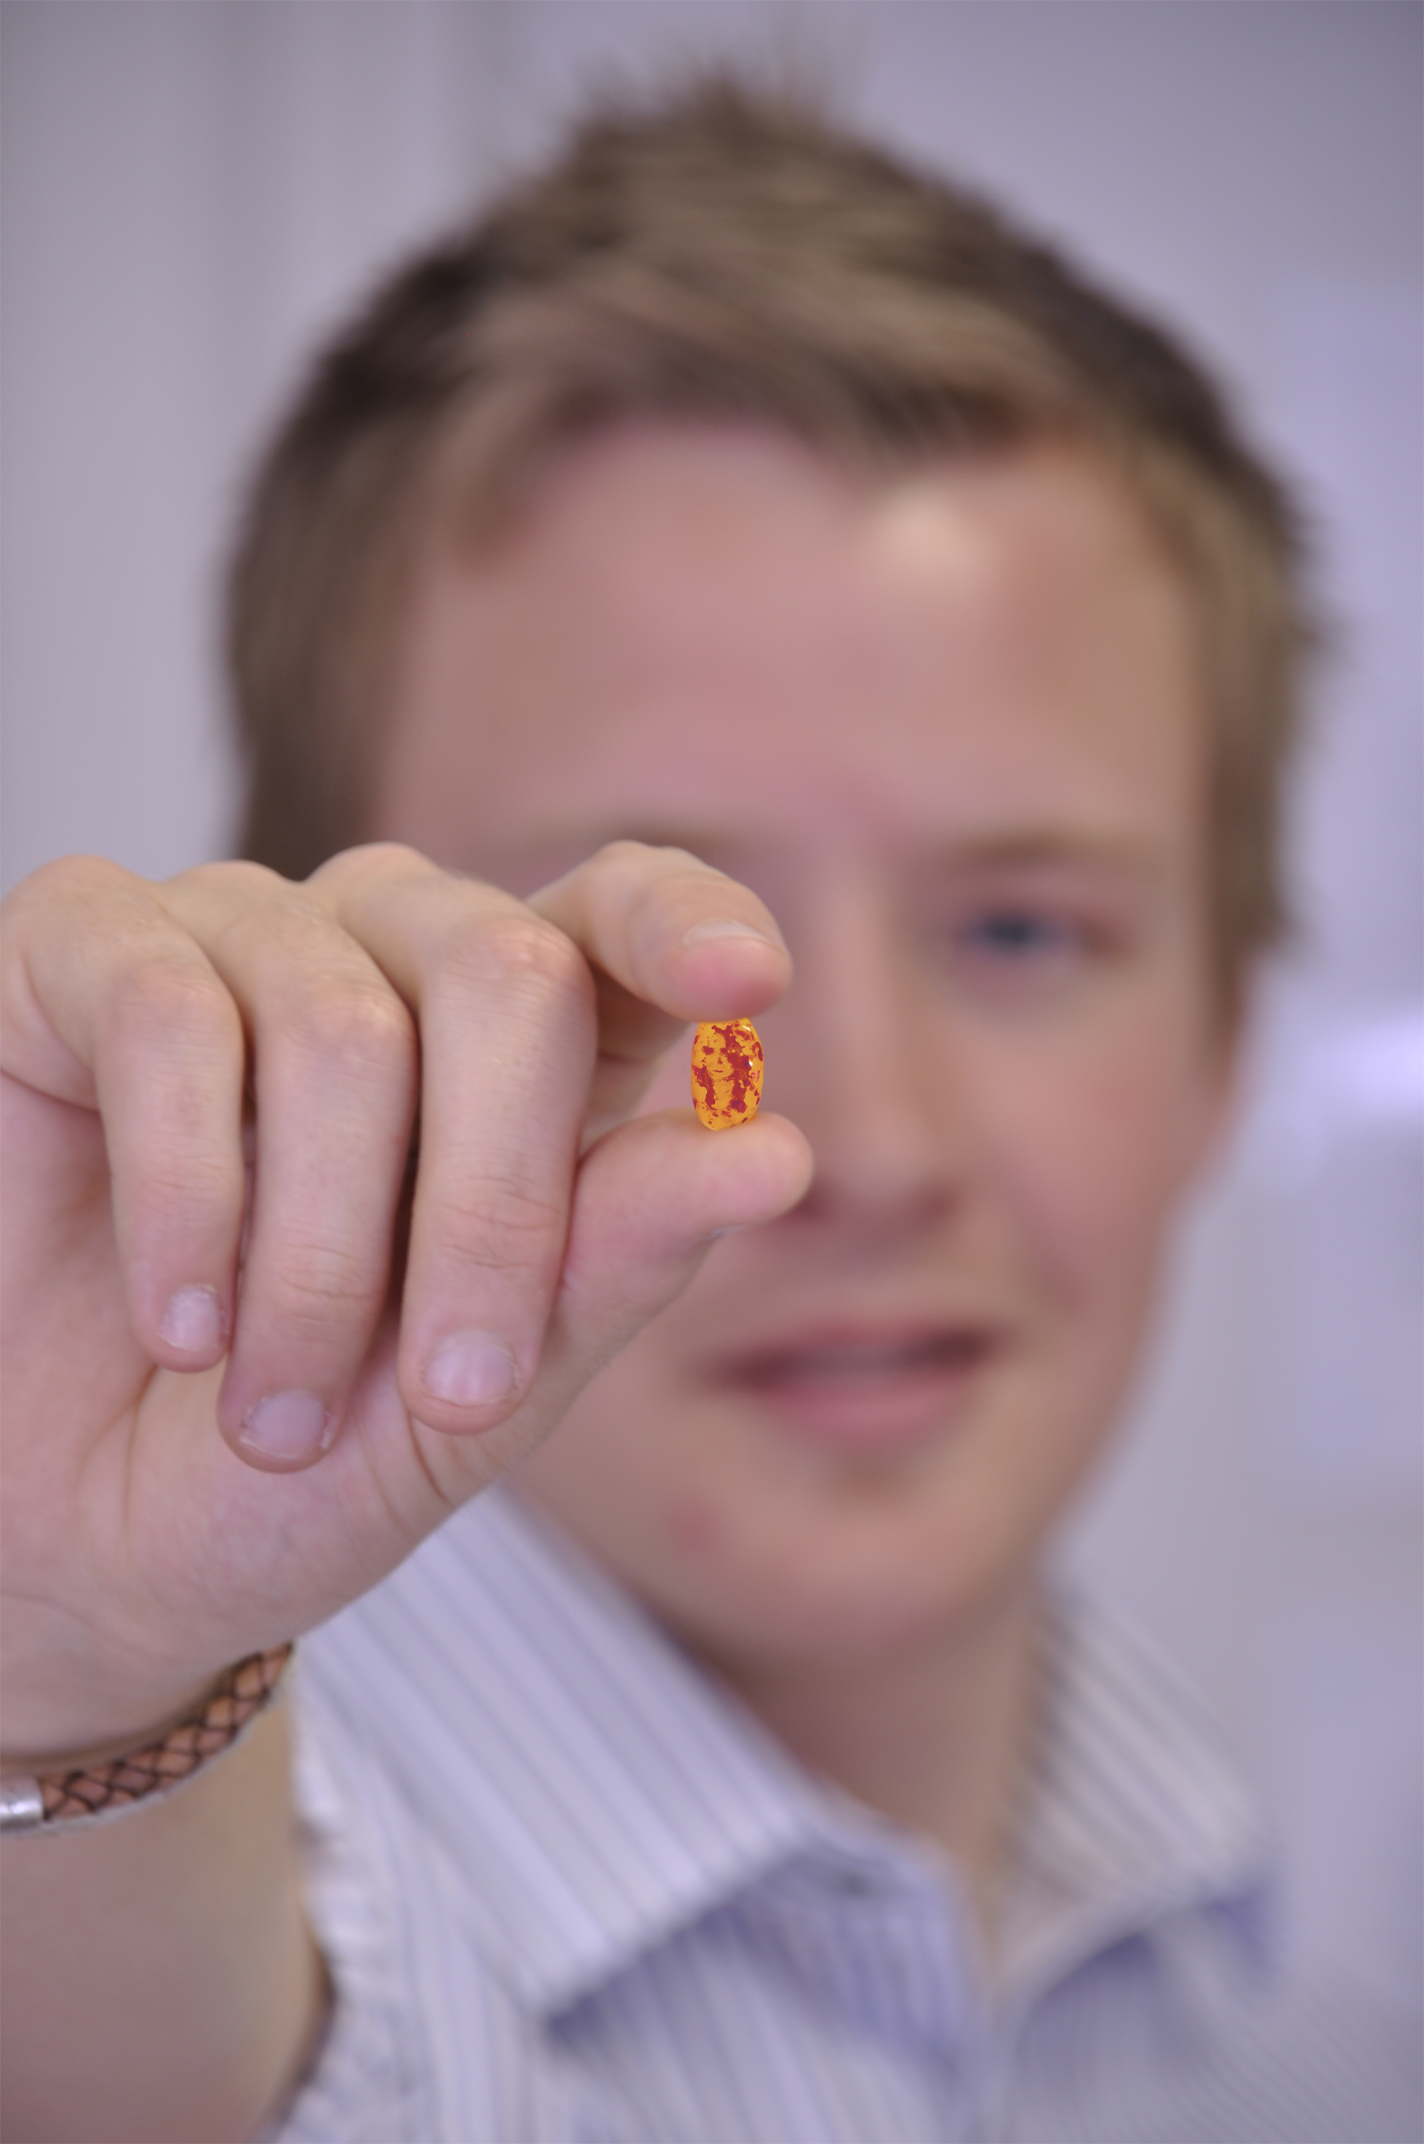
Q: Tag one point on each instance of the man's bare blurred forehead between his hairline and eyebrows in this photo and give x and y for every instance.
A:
(715, 629)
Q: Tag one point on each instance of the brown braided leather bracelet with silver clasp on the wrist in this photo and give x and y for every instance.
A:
(95, 1793)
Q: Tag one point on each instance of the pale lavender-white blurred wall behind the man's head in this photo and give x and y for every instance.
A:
(196, 190)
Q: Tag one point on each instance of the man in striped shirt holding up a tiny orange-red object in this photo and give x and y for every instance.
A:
(735, 537)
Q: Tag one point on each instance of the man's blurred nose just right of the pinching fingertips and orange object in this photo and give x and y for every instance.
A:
(861, 1056)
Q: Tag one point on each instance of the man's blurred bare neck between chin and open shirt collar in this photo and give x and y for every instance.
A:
(930, 1736)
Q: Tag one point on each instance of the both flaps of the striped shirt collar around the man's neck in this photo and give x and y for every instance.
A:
(595, 1793)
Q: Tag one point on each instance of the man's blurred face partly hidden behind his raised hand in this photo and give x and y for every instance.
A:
(949, 730)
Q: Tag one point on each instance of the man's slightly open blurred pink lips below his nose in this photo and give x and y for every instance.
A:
(867, 1390)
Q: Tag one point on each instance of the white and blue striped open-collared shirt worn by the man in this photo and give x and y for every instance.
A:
(574, 1894)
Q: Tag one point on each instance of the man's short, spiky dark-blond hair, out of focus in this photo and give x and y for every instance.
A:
(735, 256)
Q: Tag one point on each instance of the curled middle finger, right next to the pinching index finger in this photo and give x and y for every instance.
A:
(507, 1019)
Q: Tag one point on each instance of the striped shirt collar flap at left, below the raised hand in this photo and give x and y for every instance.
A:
(593, 1789)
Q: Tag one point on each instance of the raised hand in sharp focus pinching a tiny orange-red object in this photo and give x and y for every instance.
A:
(323, 1204)
